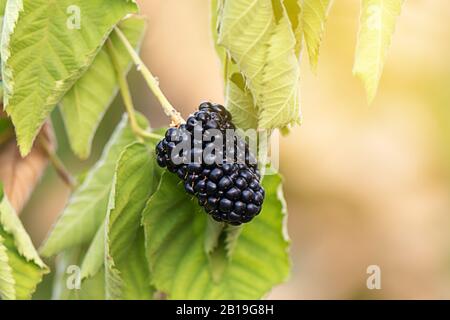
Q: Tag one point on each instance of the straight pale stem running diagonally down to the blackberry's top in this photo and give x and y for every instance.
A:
(152, 83)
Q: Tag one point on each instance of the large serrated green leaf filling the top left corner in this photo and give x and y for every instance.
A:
(42, 57)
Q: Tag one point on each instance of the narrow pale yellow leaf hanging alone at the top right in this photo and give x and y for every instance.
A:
(377, 25)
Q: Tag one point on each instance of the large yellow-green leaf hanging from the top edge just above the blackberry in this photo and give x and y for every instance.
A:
(260, 39)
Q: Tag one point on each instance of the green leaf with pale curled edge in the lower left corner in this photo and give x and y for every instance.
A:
(21, 268)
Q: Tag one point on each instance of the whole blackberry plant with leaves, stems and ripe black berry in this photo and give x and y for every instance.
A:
(134, 226)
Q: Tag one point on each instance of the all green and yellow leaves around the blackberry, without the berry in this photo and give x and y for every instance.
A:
(132, 229)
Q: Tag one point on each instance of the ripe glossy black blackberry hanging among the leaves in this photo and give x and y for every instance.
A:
(223, 176)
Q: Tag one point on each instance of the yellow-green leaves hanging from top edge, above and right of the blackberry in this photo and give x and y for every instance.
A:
(260, 42)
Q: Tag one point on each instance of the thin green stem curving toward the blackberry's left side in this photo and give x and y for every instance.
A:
(126, 96)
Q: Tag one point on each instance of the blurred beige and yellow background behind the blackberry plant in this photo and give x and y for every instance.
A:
(365, 185)
